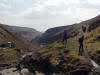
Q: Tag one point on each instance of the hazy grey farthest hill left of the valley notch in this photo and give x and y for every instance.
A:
(28, 33)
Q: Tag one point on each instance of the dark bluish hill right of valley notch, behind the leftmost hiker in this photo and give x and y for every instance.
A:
(54, 34)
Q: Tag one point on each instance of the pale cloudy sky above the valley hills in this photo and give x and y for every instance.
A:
(45, 14)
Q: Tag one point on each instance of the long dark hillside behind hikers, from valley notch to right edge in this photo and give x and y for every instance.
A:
(54, 34)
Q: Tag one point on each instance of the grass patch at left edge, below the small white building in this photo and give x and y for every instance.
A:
(8, 56)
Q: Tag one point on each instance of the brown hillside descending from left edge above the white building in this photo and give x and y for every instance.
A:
(6, 35)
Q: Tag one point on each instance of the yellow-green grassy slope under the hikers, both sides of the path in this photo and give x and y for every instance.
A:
(73, 63)
